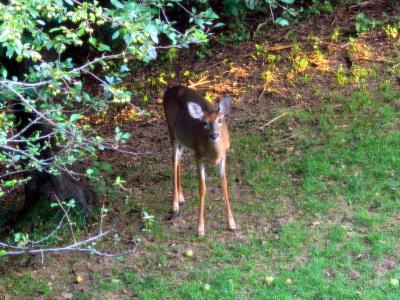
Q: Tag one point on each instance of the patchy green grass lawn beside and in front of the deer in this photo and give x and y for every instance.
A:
(320, 208)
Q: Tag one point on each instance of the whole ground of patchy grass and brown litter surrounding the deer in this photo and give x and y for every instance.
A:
(315, 192)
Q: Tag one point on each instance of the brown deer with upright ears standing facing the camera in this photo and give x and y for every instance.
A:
(195, 124)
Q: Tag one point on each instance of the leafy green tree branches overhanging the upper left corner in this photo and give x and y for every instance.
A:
(44, 76)
